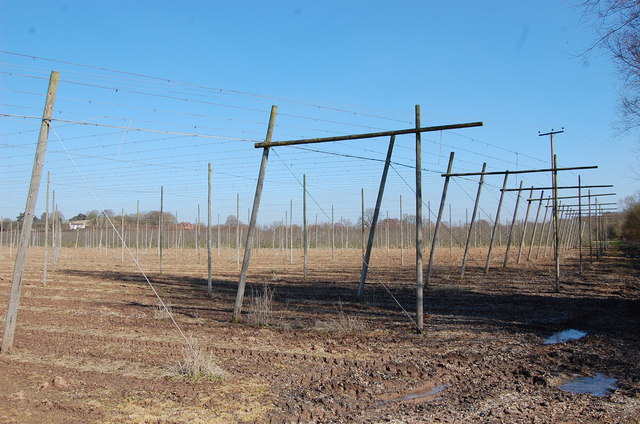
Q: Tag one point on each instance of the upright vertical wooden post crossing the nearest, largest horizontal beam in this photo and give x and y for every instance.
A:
(419, 276)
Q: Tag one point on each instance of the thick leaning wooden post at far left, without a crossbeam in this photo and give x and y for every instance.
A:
(23, 243)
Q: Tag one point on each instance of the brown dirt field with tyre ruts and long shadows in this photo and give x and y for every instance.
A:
(93, 345)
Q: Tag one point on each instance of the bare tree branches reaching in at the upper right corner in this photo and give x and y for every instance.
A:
(617, 23)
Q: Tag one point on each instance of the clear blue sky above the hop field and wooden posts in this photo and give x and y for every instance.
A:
(332, 67)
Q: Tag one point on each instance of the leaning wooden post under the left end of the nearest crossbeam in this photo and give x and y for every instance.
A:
(237, 311)
